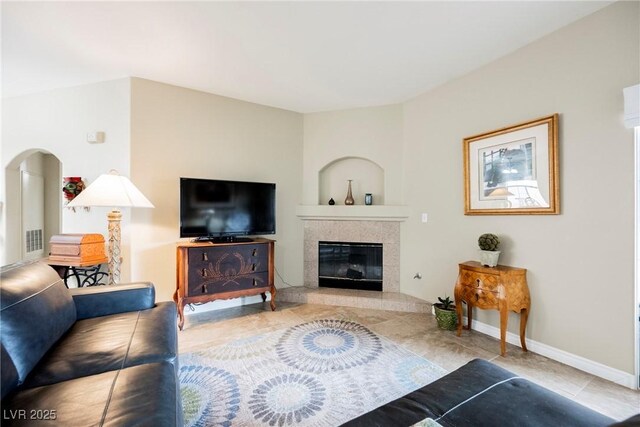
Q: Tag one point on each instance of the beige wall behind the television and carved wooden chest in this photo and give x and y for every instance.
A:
(180, 132)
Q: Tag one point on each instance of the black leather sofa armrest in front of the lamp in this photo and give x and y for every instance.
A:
(98, 301)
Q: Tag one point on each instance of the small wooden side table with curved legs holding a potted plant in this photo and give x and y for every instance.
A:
(501, 287)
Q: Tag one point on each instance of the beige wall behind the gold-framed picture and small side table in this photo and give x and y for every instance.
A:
(580, 262)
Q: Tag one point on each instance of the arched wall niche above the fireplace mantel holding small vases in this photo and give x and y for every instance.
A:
(367, 177)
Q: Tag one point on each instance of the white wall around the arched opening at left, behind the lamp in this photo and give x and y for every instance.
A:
(57, 122)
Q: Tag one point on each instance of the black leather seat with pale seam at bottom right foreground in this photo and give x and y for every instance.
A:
(482, 394)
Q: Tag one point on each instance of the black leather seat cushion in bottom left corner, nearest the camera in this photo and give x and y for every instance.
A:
(140, 395)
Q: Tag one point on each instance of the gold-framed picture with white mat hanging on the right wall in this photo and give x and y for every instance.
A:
(513, 171)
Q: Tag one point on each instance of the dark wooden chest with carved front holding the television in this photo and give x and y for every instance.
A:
(209, 271)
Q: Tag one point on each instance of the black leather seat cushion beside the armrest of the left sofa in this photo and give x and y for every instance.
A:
(109, 343)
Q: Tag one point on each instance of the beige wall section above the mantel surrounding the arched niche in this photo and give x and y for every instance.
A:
(373, 133)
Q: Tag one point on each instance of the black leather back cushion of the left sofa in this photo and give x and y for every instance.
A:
(36, 309)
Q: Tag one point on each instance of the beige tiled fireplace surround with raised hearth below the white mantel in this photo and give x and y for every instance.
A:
(362, 231)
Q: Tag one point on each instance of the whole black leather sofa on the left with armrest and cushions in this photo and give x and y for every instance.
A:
(102, 356)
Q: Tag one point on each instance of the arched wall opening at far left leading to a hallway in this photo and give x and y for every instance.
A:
(39, 162)
